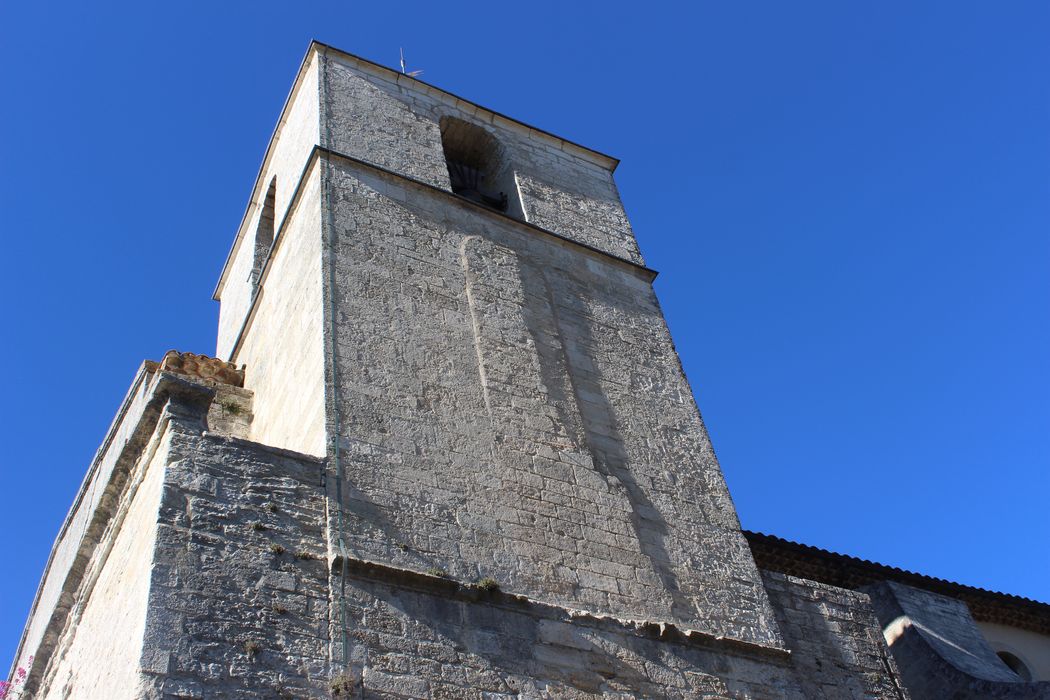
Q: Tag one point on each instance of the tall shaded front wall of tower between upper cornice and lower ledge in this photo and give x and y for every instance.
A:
(512, 407)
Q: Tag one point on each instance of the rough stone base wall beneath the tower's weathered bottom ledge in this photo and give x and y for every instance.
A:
(412, 644)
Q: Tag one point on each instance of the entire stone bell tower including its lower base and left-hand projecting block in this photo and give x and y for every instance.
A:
(463, 458)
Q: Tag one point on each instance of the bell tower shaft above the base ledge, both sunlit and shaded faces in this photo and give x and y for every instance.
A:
(451, 308)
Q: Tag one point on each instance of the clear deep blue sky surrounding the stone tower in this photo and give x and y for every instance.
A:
(849, 205)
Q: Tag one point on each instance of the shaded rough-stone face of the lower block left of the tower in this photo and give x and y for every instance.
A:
(239, 606)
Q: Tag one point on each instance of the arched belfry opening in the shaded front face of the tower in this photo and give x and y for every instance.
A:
(477, 165)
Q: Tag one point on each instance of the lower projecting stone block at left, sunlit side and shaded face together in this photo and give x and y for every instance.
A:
(211, 579)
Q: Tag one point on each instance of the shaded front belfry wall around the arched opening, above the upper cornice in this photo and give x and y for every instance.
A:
(396, 126)
